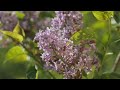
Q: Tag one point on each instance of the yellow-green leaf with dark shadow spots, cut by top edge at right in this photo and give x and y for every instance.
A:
(103, 15)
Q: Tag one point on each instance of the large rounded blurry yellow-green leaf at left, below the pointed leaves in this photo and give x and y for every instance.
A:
(17, 54)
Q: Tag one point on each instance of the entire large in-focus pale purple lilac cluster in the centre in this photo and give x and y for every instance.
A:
(60, 54)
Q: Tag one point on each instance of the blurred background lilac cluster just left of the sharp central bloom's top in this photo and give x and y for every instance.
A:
(32, 20)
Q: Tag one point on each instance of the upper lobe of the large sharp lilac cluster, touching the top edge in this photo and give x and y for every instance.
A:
(67, 21)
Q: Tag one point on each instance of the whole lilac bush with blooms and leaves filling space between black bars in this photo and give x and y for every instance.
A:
(70, 44)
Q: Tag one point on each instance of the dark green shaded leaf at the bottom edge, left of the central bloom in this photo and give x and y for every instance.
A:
(31, 72)
